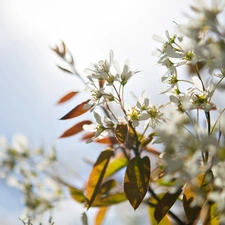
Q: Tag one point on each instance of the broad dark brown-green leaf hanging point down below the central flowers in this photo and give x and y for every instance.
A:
(136, 180)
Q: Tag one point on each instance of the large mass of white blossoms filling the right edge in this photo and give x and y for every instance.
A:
(193, 145)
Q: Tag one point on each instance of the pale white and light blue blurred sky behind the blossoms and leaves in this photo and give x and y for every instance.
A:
(31, 83)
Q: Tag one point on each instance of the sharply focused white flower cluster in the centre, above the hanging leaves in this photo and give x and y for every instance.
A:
(106, 85)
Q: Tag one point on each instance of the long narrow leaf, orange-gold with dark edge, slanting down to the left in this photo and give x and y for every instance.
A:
(96, 176)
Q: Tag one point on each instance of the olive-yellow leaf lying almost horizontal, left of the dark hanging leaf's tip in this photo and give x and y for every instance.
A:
(109, 200)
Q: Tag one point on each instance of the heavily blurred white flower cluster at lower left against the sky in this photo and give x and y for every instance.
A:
(29, 171)
